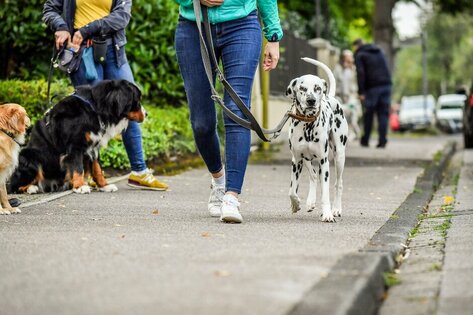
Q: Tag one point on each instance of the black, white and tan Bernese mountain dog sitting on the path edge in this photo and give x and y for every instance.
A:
(64, 145)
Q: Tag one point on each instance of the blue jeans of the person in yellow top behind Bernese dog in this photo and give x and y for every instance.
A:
(110, 71)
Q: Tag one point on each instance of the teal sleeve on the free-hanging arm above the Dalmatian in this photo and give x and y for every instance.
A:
(268, 10)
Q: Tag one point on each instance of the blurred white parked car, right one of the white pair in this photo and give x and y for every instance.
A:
(449, 112)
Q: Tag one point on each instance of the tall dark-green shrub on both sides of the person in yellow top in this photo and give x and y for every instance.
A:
(26, 47)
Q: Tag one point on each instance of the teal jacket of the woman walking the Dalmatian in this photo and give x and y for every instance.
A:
(236, 9)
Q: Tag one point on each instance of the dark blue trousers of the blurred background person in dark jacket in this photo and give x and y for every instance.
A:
(377, 100)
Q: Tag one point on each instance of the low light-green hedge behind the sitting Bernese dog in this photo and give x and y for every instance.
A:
(166, 130)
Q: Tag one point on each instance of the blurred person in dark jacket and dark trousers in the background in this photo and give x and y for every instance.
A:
(374, 89)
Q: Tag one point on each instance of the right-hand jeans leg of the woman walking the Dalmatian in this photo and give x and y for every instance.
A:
(239, 44)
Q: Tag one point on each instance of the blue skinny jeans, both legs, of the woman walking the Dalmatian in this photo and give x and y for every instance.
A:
(238, 46)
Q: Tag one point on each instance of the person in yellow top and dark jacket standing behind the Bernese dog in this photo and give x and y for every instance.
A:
(102, 23)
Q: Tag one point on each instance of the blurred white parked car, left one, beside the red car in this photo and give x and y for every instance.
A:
(416, 112)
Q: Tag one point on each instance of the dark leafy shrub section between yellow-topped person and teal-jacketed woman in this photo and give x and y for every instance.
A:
(151, 52)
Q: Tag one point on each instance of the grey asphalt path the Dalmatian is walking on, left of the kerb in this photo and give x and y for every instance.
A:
(142, 252)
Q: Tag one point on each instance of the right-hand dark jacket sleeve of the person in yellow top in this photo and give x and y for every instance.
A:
(117, 20)
